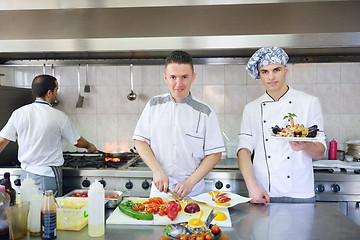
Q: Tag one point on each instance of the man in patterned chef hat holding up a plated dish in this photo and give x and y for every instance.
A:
(275, 170)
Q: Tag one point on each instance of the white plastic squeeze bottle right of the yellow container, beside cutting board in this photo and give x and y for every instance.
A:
(96, 210)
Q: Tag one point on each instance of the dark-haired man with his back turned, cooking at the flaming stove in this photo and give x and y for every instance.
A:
(39, 130)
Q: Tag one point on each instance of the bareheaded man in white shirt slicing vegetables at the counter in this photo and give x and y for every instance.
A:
(178, 136)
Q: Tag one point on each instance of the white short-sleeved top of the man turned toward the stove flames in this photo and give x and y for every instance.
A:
(40, 130)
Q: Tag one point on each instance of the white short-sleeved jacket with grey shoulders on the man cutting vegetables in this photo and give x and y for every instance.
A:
(179, 134)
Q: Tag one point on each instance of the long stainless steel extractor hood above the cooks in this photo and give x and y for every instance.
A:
(150, 29)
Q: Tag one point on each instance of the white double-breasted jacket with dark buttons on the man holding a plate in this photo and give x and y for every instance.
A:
(277, 168)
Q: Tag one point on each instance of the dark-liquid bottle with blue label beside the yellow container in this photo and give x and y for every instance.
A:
(48, 216)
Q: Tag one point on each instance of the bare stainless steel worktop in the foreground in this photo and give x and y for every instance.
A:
(250, 221)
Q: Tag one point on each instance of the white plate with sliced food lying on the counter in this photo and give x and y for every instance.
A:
(221, 199)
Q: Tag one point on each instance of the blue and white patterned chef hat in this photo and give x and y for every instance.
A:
(265, 56)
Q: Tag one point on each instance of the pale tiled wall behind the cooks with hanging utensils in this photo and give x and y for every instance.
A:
(108, 119)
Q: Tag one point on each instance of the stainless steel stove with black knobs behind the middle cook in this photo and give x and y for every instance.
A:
(134, 177)
